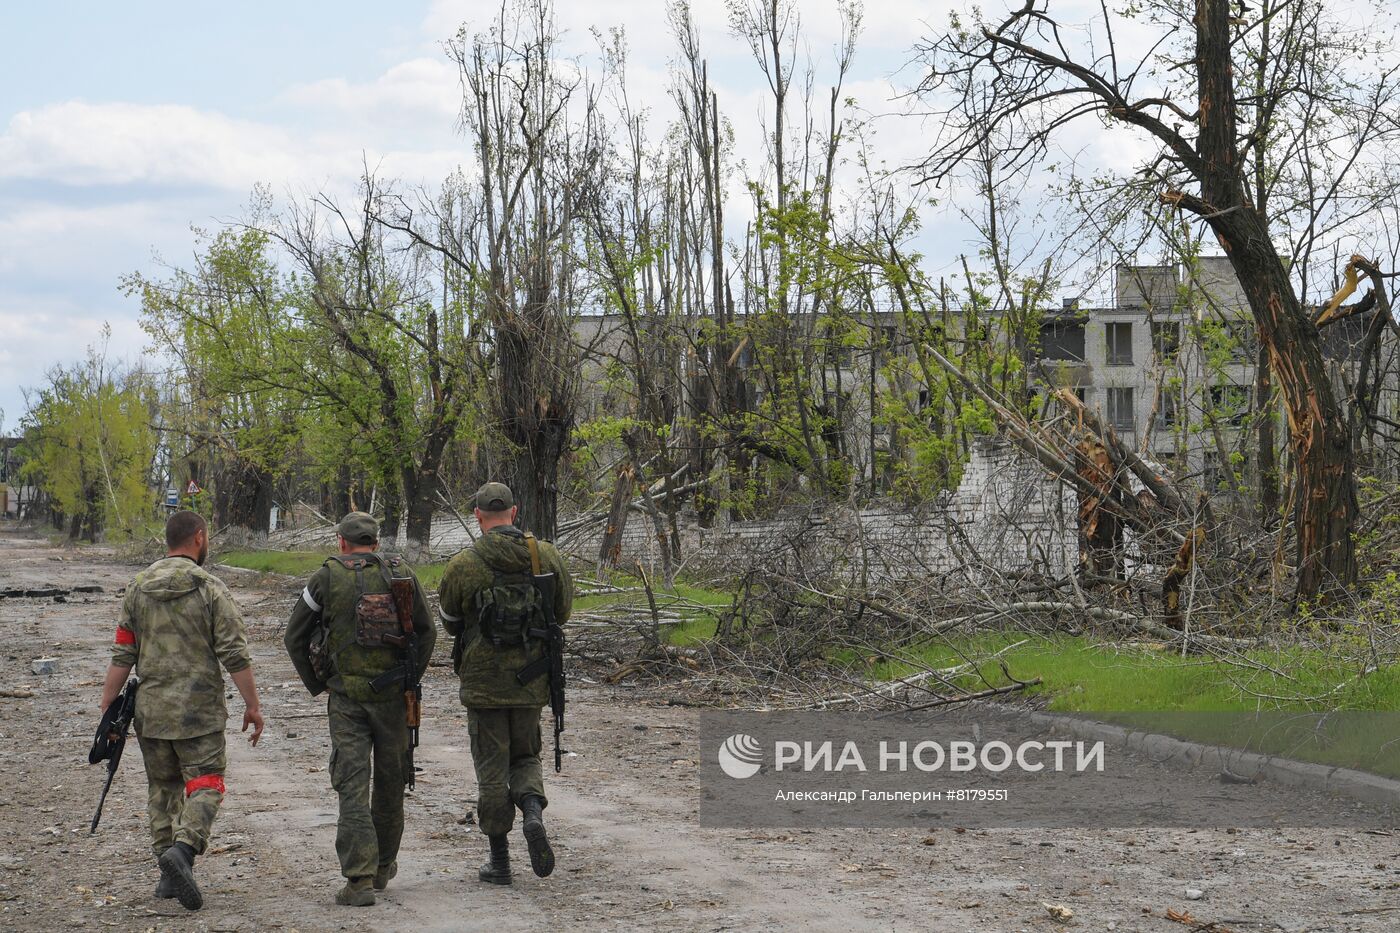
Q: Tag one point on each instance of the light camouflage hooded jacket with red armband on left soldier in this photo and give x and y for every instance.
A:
(178, 626)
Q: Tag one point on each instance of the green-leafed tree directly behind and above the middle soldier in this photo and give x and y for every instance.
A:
(388, 352)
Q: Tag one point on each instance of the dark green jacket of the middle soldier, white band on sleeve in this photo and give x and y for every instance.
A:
(330, 599)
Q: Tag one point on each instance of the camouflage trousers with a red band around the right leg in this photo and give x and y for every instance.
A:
(185, 787)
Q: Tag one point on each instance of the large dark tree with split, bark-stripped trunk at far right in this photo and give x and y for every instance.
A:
(1028, 78)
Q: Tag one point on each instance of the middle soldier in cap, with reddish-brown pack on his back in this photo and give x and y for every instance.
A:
(334, 647)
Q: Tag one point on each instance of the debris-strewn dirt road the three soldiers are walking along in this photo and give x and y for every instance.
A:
(624, 816)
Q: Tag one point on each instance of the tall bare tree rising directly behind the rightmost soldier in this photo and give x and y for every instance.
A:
(528, 120)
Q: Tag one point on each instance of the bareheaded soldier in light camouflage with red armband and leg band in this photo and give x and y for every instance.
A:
(178, 626)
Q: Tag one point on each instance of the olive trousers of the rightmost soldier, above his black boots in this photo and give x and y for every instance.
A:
(506, 753)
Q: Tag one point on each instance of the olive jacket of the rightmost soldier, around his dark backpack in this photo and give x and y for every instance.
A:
(488, 672)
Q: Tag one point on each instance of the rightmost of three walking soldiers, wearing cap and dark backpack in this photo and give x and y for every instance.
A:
(491, 604)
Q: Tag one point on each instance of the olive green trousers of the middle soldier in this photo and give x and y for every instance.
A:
(369, 771)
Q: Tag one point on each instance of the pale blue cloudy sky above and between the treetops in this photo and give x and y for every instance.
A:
(125, 125)
